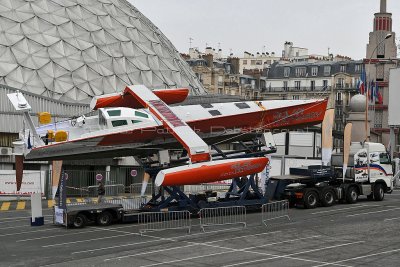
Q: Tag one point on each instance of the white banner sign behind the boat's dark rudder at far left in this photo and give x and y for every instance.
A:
(33, 182)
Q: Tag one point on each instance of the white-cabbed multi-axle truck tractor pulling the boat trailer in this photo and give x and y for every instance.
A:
(369, 173)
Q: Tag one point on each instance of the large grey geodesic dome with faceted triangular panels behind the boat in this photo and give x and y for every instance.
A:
(75, 49)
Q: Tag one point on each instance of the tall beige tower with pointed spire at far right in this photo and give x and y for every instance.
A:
(380, 57)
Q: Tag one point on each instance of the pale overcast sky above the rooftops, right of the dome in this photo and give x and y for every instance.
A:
(236, 26)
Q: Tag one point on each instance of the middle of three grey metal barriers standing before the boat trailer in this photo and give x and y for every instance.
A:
(222, 216)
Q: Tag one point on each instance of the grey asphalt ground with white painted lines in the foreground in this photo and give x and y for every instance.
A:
(361, 234)
